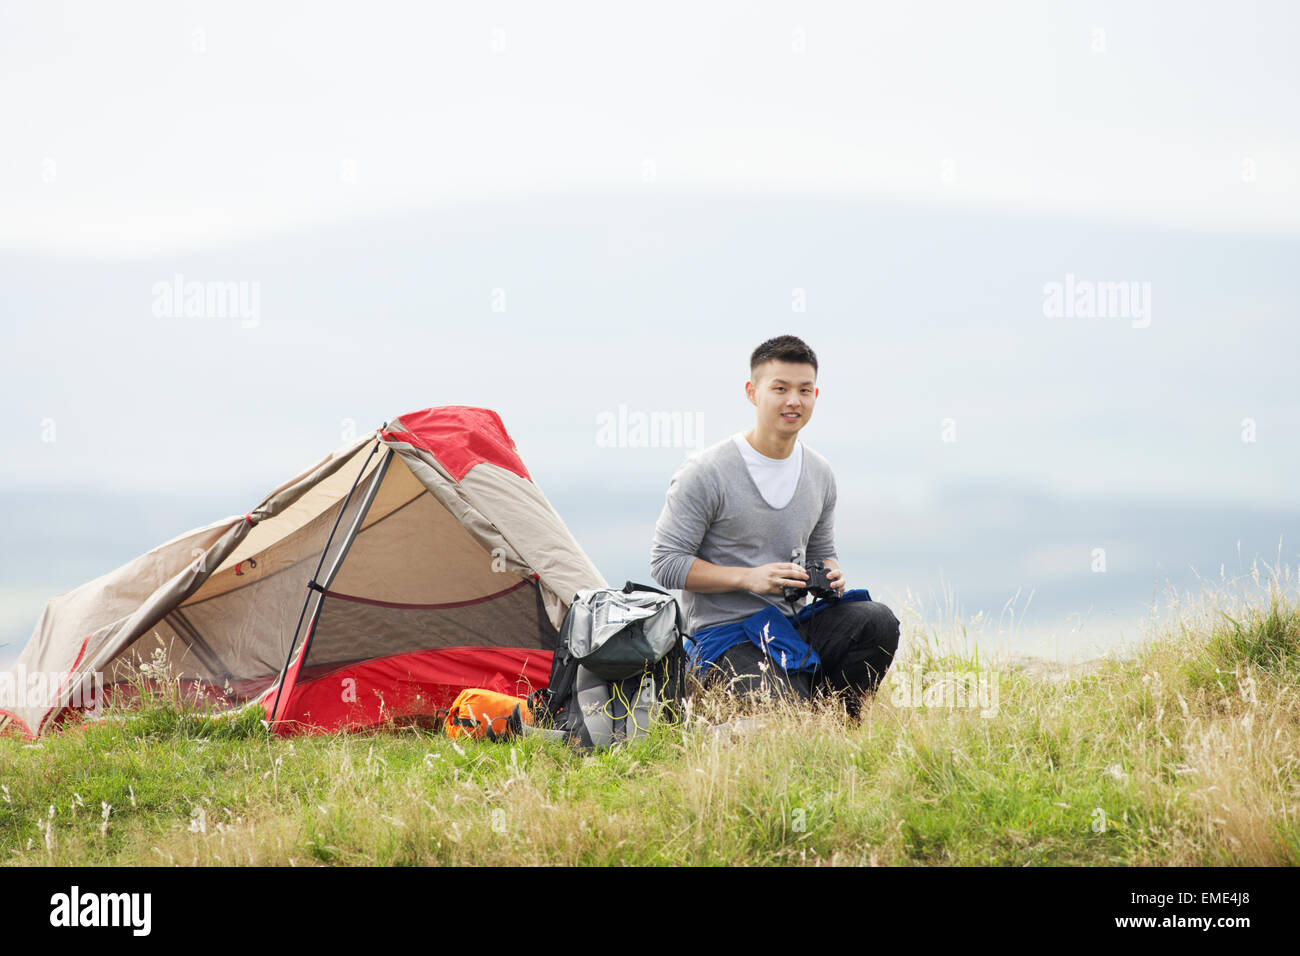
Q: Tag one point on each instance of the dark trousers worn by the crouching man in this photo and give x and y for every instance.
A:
(855, 639)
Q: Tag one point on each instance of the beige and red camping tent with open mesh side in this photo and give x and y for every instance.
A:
(409, 565)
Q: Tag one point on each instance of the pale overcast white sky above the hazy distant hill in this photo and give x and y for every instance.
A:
(153, 127)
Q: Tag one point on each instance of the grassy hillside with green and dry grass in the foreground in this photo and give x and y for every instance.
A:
(1184, 754)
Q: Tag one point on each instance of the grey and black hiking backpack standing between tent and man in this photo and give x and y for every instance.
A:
(619, 668)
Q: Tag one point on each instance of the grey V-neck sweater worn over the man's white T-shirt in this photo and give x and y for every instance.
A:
(716, 512)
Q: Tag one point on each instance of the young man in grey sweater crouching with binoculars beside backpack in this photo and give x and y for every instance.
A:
(739, 524)
